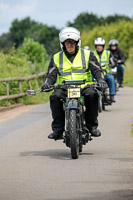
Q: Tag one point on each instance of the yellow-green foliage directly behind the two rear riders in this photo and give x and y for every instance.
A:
(122, 31)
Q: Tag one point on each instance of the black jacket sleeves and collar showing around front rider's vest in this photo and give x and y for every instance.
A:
(94, 66)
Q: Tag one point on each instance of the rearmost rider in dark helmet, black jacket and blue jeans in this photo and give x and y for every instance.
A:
(120, 59)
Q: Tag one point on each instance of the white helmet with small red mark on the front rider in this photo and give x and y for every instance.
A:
(69, 33)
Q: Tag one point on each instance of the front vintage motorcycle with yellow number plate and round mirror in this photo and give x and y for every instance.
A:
(76, 133)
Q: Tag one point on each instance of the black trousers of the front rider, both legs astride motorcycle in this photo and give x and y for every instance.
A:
(58, 114)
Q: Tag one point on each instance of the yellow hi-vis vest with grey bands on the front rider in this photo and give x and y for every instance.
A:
(79, 69)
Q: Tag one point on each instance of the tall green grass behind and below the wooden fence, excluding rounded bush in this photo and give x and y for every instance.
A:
(13, 65)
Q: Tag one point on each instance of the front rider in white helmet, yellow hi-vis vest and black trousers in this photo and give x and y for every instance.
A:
(73, 63)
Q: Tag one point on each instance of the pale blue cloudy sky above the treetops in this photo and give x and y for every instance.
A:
(58, 12)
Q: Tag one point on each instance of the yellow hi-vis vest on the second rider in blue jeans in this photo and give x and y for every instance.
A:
(104, 61)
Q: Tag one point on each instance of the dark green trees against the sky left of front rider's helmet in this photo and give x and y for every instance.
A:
(30, 29)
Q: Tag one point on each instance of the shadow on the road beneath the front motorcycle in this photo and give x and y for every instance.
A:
(59, 154)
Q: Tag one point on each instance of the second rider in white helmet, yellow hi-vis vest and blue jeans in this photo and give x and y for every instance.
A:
(106, 61)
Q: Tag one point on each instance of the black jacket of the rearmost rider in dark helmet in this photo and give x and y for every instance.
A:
(118, 55)
